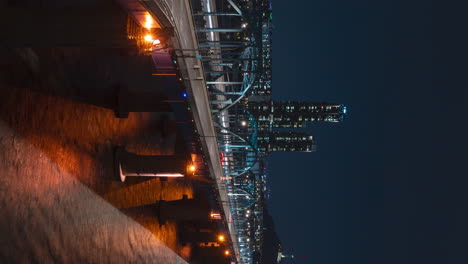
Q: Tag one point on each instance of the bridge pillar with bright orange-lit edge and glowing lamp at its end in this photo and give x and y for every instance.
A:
(128, 164)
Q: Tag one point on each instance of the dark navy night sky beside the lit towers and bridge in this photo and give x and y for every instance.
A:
(390, 183)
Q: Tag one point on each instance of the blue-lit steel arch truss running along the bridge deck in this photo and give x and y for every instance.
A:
(229, 51)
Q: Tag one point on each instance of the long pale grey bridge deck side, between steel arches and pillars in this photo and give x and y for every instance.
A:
(179, 14)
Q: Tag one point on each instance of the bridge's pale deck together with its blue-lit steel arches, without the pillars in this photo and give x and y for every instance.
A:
(217, 48)
